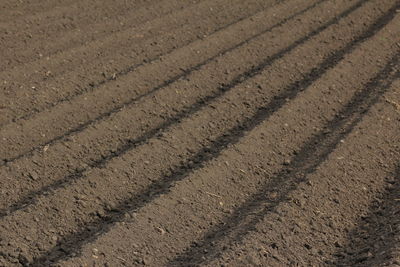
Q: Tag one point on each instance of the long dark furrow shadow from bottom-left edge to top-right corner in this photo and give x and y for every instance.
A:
(74, 242)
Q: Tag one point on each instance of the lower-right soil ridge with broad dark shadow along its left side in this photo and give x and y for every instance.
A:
(253, 222)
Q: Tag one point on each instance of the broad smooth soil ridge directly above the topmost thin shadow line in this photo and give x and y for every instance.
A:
(56, 79)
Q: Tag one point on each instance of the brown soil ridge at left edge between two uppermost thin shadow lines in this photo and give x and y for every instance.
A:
(148, 79)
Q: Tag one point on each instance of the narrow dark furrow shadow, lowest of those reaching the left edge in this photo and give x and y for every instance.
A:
(31, 197)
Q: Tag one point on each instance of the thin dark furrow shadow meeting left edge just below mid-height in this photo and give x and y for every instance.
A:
(166, 83)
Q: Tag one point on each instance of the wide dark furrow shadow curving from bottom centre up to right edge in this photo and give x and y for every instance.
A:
(311, 155)
